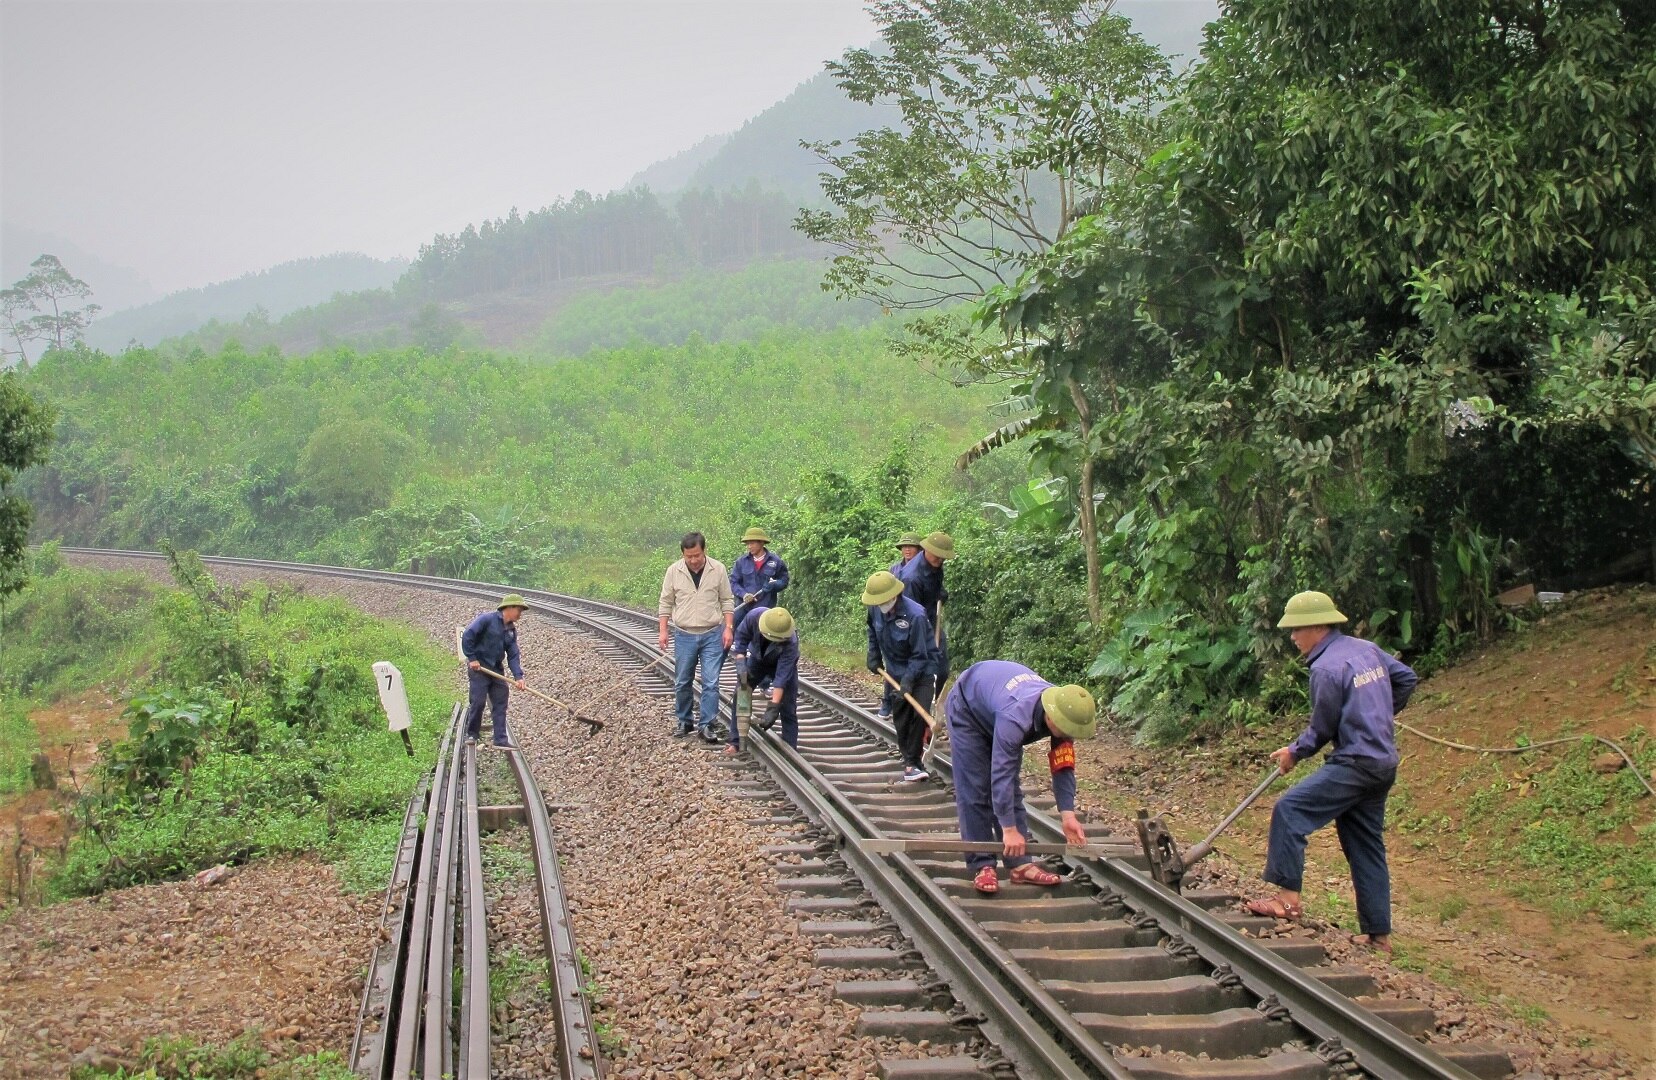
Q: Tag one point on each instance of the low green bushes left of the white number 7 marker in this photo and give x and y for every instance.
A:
(253, 720)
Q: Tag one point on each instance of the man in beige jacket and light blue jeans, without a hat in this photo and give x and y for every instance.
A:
(696, 602)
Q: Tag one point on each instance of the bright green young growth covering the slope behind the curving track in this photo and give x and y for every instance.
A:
(466, 463)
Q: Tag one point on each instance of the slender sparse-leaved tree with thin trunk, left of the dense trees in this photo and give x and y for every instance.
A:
(1018, 115)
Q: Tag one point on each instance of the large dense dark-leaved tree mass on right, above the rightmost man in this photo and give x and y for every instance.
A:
(1374, 243)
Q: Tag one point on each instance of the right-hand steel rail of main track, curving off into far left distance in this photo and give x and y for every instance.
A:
(1380, 1049)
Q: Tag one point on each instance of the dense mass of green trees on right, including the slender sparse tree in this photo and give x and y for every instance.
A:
(1309, 317)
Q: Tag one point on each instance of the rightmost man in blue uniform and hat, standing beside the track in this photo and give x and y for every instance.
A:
(1357, 692)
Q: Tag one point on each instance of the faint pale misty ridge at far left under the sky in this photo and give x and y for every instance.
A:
(277, 291)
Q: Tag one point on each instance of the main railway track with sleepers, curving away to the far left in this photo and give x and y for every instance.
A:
(1110, 975)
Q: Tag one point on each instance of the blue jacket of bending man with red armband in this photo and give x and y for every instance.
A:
(998, 702)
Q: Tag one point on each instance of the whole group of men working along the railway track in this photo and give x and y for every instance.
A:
(998, 708)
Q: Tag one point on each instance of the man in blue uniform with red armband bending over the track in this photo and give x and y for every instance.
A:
(994, 711)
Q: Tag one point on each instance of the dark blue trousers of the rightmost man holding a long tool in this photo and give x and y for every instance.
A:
(1352, 794)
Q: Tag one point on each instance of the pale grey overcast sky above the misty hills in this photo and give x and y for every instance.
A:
(203, 140)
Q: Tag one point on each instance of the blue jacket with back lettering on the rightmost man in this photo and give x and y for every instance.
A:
(1357, 690)
